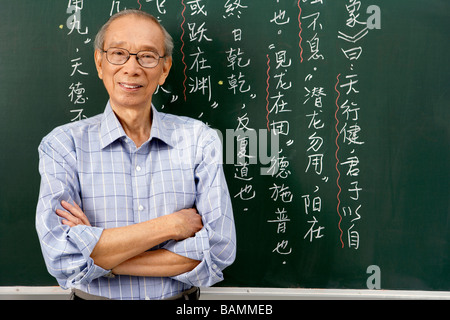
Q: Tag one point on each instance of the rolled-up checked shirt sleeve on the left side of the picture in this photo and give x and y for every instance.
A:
(66, 250)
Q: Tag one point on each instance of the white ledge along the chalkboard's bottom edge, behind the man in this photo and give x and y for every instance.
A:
(218, 293)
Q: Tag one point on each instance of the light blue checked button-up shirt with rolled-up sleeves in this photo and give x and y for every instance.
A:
(93, 163)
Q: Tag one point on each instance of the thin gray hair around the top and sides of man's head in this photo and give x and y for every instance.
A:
(100, 37)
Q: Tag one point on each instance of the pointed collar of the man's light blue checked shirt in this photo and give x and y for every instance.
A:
(111, 129)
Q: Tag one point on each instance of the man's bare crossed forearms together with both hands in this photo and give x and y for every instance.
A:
(124, 249)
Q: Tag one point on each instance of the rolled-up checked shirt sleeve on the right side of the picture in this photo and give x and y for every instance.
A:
(215, 245)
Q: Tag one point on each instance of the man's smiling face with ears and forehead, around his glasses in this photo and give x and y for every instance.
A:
(130, 85)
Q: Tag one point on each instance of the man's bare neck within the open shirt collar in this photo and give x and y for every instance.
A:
(136, 123)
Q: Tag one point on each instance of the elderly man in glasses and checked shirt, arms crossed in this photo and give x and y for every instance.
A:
(133, 203)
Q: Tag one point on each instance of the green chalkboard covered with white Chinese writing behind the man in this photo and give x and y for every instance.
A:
(334, 117)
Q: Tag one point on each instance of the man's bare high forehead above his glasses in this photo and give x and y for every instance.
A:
(134, 32)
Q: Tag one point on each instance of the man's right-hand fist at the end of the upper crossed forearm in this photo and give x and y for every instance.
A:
(187, 223)
